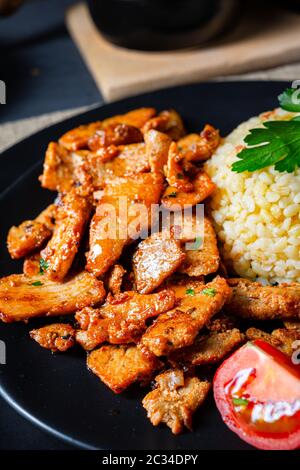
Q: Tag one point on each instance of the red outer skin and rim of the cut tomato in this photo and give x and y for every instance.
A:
(224, 375)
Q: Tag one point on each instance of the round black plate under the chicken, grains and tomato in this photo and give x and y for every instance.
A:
(55, 391)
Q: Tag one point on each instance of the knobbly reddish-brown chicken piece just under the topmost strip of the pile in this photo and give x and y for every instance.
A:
(115, 134)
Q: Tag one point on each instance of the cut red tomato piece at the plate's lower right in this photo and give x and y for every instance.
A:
(257, 391)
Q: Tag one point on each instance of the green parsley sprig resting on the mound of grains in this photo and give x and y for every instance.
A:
(276, 143)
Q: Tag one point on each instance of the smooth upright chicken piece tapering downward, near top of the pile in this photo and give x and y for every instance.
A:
(157, 149)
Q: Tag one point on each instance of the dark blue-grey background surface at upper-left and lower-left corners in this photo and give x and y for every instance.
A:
(43, 72)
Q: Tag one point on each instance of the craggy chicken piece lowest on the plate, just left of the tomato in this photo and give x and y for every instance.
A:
(175, 399)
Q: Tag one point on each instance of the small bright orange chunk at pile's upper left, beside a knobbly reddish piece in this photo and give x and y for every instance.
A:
(78, 138)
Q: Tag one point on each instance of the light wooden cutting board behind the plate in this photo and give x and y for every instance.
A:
(259, 40)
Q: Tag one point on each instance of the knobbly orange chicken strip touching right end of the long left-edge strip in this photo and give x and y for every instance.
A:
(122, 319)
